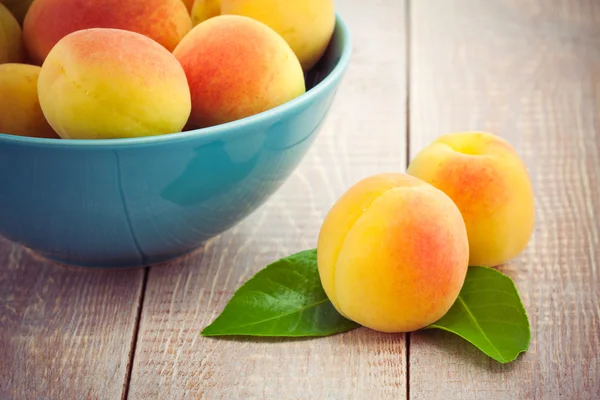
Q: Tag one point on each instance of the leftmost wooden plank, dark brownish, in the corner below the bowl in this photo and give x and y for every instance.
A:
(65, 333)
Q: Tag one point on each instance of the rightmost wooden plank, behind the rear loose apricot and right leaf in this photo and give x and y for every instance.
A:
(528, 70)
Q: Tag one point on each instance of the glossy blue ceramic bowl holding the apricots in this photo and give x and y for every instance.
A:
(135, 202)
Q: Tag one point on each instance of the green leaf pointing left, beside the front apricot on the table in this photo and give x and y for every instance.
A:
(284, 299)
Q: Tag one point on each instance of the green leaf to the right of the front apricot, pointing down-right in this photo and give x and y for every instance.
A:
(489, 314)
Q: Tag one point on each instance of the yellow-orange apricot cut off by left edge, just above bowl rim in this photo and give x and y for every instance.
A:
(20, 112)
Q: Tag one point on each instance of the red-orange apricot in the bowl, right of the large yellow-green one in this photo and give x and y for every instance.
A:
(237, 67)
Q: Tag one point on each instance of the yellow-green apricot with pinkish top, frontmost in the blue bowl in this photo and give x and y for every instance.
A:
(110, 83)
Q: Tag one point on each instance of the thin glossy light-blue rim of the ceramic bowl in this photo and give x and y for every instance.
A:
(220, 131)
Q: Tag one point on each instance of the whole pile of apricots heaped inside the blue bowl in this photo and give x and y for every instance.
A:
(85, 69)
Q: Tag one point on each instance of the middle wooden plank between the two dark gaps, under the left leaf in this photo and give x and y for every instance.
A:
(364, 134)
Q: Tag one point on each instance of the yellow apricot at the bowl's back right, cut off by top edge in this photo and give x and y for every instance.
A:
(306, 25)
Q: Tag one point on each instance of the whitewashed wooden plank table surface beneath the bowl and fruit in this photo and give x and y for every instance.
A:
(528, 70)
